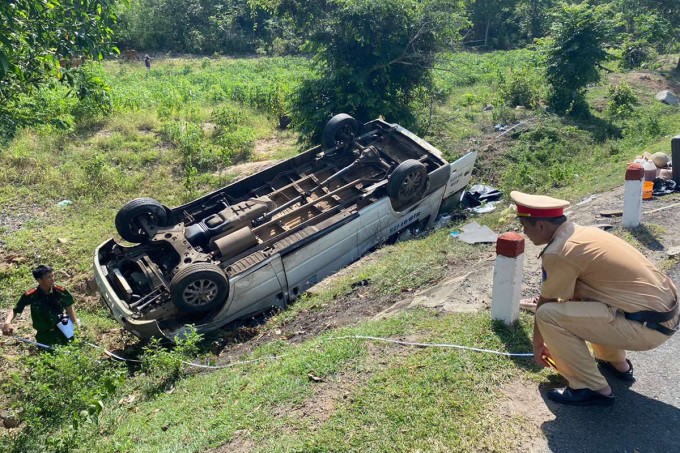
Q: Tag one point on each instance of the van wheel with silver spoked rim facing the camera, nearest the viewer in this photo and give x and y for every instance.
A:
(199, 287)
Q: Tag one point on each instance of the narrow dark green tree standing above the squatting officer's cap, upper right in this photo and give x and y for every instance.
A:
(574, 52)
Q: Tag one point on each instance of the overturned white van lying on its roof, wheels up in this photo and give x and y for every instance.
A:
(262, 241)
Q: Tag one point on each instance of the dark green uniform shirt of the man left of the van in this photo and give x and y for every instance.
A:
(45, 311)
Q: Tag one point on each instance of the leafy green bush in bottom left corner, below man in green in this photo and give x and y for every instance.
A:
(67, 388)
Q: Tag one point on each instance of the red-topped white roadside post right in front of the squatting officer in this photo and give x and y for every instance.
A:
(507, 277)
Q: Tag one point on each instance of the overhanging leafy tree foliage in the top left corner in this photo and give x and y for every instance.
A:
(36, 35)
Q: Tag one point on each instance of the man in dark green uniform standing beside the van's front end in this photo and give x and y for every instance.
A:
(47, 302)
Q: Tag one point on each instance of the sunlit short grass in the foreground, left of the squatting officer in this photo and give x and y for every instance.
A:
(405, 398)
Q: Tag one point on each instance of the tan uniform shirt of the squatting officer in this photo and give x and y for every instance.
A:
(586, 263)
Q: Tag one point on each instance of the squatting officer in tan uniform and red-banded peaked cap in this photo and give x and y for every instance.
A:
(596, 289)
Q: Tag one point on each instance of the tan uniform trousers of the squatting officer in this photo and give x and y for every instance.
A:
(567, 326)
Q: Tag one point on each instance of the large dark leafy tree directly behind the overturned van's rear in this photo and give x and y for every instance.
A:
(373, 58)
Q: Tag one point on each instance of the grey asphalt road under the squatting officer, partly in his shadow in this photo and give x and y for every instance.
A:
(646, 414)
